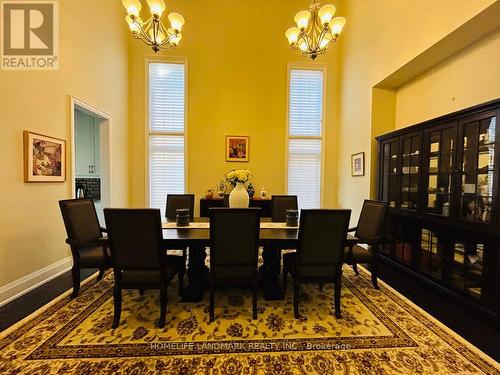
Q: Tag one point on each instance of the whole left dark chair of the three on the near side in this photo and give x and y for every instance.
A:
(138, 259)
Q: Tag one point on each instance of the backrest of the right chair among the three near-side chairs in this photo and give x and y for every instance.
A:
(322, 237)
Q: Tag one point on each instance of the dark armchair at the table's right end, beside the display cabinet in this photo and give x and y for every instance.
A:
(369, 231)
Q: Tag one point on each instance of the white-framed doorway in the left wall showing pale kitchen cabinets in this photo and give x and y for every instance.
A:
(90, 150)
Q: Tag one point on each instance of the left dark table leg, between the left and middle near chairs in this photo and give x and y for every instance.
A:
(197, 274)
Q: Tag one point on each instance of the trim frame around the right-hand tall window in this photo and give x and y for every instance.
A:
(307, 66)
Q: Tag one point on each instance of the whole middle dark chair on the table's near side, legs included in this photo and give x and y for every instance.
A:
(234, 245)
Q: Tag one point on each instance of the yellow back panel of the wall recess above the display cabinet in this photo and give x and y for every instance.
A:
(466, 79)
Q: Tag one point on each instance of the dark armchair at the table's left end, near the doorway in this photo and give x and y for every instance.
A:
(88, 247)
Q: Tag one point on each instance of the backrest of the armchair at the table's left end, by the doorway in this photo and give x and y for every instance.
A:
(80, 219)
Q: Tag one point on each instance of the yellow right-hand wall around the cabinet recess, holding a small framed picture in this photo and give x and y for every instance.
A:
(380, 38)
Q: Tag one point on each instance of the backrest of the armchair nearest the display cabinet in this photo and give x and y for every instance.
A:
(371, 221)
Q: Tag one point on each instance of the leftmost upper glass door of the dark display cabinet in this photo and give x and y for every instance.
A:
(390, 174)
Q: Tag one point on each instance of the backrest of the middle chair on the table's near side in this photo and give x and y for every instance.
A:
(234, 238)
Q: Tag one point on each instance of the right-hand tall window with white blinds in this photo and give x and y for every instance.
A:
(305, 135)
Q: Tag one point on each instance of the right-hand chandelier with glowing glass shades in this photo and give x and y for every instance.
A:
(316, 29)
